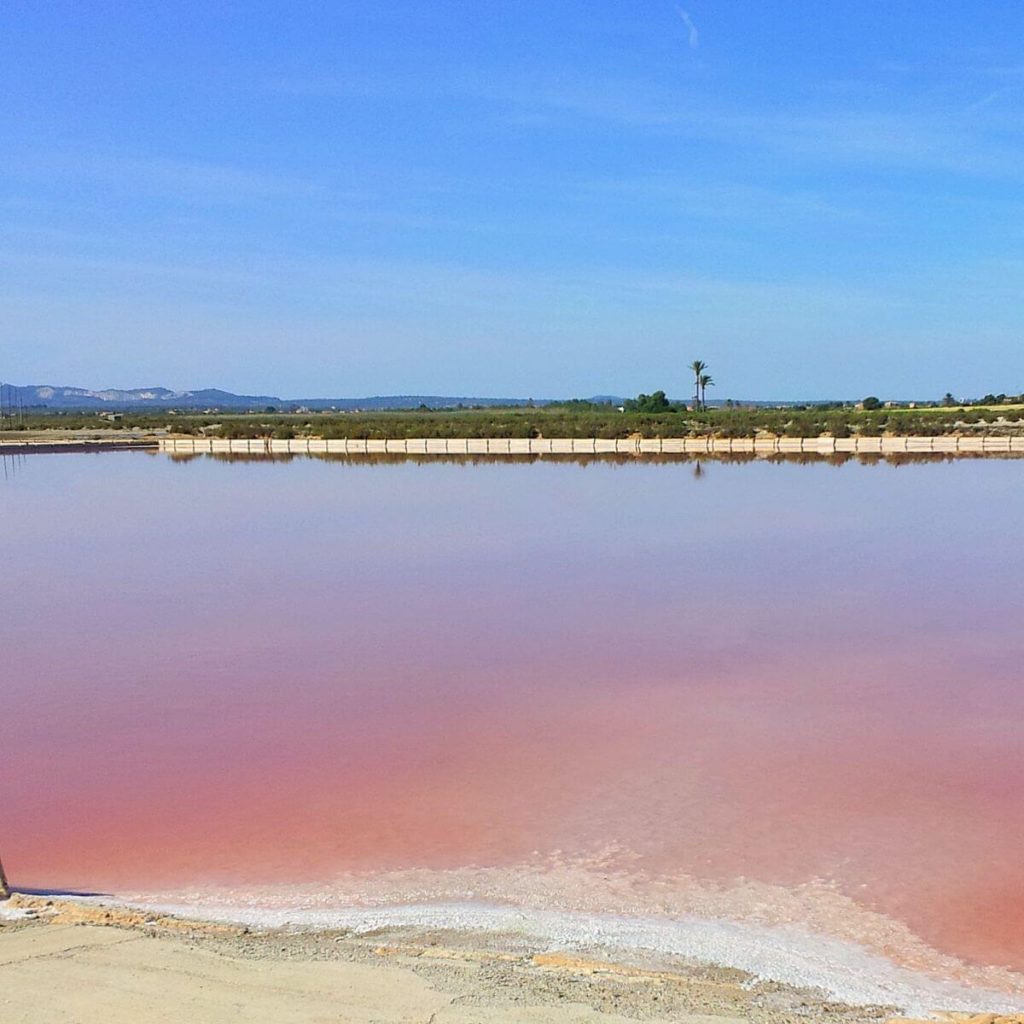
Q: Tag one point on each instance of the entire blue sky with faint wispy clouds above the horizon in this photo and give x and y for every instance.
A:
(515, 198)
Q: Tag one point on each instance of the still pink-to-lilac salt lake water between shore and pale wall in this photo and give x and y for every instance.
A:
(280, 673)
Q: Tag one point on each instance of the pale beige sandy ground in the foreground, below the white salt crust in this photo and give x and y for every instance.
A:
(89, 964)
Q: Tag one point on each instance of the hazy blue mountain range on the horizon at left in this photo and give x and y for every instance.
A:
(70, 399)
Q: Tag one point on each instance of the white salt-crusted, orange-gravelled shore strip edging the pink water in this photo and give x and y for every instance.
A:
(842, 980)
